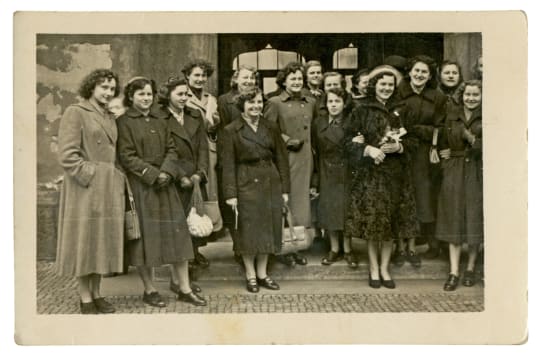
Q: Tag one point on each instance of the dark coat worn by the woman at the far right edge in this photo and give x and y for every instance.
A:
(460, 209)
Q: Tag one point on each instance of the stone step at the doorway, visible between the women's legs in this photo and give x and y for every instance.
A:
(223, 267)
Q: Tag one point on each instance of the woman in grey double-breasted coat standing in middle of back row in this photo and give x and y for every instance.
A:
(293, 111)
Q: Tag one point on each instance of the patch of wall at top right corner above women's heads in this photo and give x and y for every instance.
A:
(463, 48)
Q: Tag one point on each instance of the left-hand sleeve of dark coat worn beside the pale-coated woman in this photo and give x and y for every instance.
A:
(127, 154)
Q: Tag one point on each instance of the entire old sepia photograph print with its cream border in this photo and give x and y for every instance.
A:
(235, 173)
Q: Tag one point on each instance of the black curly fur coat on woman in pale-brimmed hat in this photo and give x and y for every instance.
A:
(382, 197)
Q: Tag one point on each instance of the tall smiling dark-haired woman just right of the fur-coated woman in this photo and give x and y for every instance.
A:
(424, 110)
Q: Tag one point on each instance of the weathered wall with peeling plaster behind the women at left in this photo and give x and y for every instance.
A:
(63, 61)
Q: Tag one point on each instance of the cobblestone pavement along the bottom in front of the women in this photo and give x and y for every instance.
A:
(58, 295)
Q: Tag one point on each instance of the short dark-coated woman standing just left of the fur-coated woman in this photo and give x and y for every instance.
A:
(331, 178)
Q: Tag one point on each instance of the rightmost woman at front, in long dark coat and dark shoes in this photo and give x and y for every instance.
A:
(460, 209)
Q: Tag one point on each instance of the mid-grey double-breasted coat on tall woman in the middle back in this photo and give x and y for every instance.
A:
(293, 117)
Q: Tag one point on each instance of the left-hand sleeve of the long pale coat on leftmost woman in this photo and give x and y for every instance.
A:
(71, 156)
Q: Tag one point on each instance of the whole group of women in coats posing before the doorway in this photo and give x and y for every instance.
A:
(351, 165)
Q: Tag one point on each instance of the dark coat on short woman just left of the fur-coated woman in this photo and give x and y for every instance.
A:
(332, 175)
